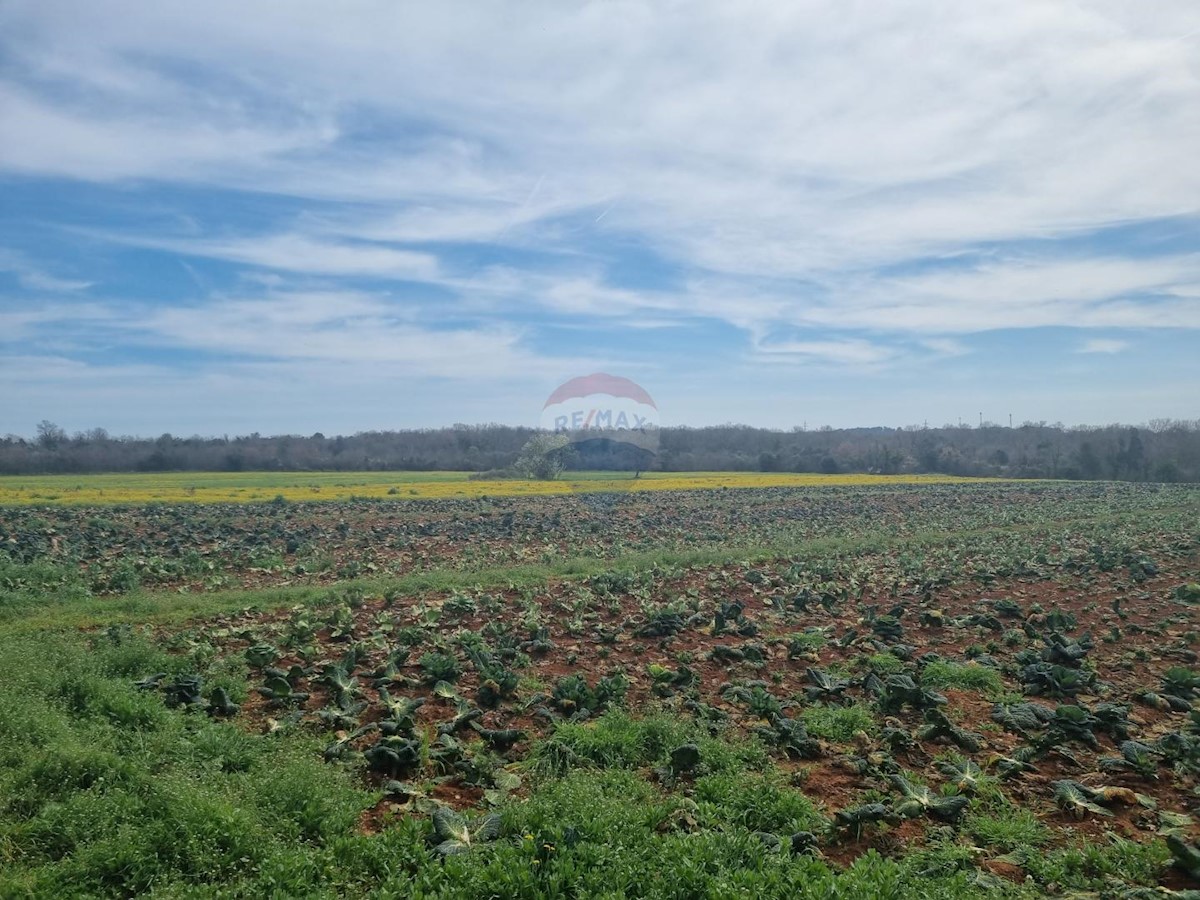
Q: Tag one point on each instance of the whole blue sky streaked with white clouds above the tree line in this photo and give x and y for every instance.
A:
(293, 218)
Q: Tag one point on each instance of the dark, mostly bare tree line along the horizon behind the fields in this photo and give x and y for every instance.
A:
(1162, 451)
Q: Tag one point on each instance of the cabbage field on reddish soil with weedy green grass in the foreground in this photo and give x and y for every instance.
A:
(766, 691)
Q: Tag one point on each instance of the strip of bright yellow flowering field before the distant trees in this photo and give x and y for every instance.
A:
(260, 487)
